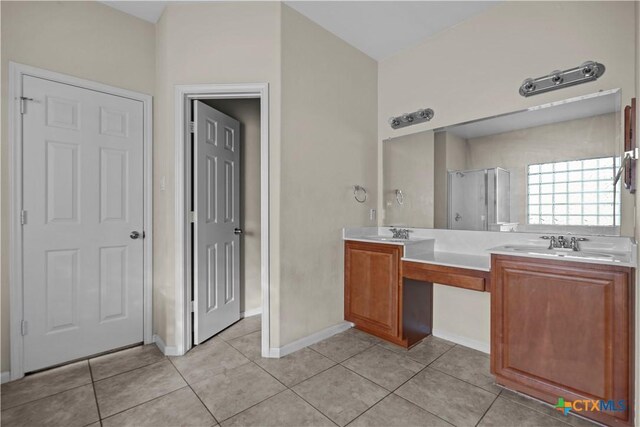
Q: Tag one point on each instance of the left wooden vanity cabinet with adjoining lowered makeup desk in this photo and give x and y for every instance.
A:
(389, 284)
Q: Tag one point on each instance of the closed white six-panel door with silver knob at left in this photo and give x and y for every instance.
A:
(83, 197)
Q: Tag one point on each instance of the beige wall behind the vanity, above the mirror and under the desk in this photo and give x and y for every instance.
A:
(474, 69)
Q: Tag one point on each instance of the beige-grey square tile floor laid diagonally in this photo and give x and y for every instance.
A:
(349, 379)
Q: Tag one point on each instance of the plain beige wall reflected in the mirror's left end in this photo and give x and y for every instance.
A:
(409, 167)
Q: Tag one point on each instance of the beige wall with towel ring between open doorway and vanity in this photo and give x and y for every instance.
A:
(329, 98)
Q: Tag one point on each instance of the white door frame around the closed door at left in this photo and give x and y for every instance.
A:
(16, 72)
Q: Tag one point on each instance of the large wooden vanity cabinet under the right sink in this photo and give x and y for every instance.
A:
(564, 330)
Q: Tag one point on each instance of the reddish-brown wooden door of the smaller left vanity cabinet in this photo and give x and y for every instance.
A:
(372, 280)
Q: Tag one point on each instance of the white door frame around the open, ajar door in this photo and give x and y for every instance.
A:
(184, 94)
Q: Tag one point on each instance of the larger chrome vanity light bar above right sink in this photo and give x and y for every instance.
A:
(586, 72)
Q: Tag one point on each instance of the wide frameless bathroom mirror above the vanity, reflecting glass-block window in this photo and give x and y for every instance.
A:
(547, 169)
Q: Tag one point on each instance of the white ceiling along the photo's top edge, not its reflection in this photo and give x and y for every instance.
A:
(377, 28)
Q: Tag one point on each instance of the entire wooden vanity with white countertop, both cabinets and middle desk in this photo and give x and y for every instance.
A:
(561, 326)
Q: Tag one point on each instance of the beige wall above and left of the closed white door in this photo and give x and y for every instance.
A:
(82, 39)
